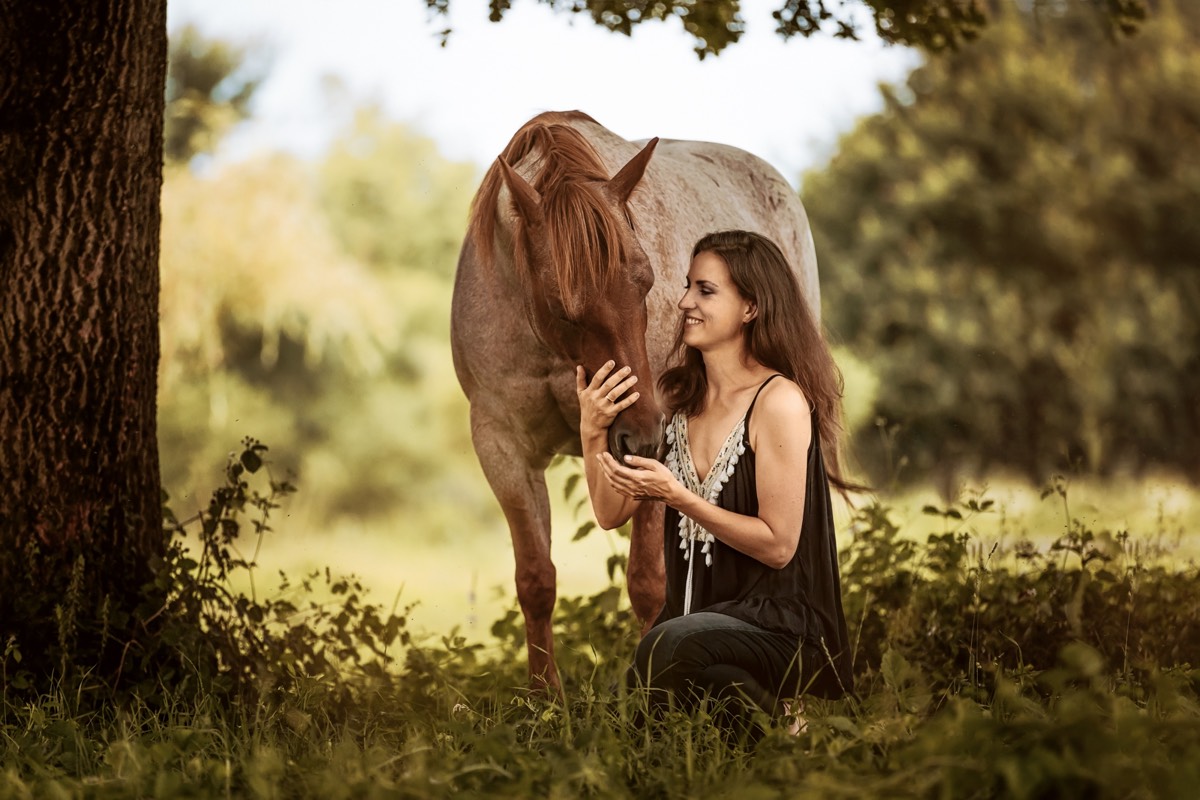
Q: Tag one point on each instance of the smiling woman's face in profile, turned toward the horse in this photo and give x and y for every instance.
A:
(713, 310)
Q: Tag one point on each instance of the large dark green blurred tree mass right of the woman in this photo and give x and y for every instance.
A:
(1011, 246)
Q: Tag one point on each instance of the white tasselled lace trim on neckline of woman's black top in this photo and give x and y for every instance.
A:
(682, 466)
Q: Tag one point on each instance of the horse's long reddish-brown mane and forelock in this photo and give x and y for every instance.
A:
(583, 233)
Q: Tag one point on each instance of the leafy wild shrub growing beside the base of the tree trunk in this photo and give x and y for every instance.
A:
(235, 642)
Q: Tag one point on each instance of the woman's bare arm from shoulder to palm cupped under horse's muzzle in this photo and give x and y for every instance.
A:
(782, 432)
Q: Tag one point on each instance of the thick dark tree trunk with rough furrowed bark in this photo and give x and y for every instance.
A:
(81, 173)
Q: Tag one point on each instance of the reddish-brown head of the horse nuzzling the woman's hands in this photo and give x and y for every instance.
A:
(587, 276)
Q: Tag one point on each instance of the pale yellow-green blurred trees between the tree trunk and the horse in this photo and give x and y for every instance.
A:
(307, 304)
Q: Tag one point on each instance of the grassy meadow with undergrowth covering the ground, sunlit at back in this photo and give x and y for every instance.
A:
(1019, 648)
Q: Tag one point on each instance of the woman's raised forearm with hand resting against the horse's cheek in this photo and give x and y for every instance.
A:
(597, 413)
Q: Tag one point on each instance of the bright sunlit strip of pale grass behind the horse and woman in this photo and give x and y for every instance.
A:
(464, 582)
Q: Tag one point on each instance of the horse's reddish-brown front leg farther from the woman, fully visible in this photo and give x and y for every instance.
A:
(519, 483)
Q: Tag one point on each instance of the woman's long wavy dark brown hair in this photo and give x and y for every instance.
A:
(784, 336)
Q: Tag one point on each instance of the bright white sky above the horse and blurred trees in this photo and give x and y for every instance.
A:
(784, 101)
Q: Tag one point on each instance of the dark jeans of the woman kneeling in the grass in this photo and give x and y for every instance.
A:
(727, 659)
